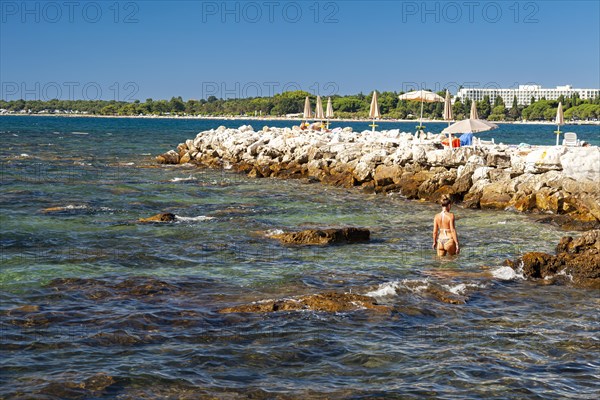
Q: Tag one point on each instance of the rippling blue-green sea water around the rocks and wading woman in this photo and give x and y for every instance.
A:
(86, 292)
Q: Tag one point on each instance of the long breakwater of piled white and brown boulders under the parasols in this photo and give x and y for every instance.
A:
(559, 182)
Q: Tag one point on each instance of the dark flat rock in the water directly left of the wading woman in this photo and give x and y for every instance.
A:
(324, 236)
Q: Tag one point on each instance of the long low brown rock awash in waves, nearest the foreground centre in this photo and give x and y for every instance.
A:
(328, 302)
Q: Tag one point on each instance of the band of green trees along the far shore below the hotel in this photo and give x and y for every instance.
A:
(350, 106)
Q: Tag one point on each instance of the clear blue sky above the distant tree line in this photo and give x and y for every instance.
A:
(128, 50)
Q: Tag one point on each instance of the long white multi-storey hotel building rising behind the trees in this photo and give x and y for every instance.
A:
(525, 92)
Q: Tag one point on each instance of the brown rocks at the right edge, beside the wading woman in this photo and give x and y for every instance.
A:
(577, 261)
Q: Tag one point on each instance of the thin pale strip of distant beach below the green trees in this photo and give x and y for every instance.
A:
(252, 118)
